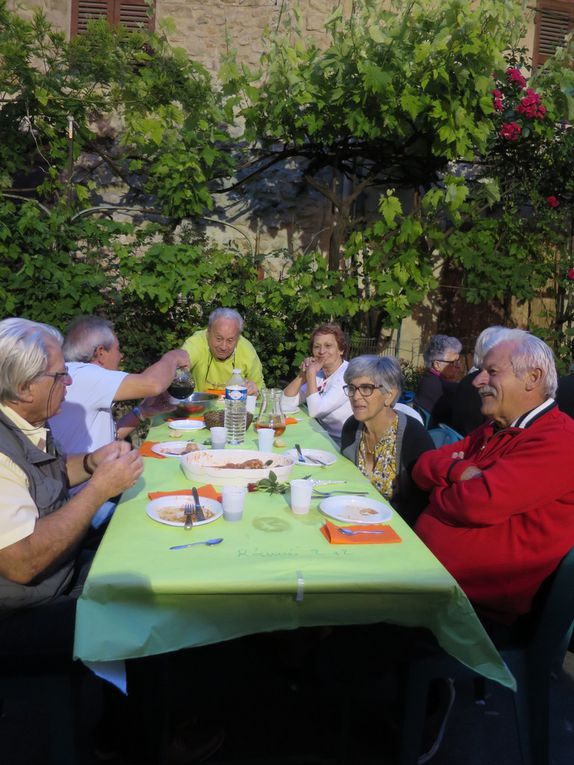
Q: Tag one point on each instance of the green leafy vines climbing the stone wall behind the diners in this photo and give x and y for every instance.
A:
(400, 99)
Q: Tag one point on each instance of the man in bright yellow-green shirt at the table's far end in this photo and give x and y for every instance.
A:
(216, 351)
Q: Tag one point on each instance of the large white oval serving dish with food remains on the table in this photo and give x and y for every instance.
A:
(206, 466)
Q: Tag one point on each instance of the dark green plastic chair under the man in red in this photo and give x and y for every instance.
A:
(532, 660)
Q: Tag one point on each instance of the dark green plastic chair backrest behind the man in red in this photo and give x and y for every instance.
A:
(555, 623)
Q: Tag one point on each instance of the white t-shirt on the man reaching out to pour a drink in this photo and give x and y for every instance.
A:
(85, 421)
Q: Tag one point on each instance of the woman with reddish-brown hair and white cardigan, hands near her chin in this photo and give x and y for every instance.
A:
(319, 383)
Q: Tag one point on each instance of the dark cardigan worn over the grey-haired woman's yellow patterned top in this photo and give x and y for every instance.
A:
(412, 440)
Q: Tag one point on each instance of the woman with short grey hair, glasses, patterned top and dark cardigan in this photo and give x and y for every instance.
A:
(382, 442)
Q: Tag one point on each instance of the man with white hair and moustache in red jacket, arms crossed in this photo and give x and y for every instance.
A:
(501, 507)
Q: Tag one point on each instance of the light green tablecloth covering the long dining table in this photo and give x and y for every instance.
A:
(274, 571)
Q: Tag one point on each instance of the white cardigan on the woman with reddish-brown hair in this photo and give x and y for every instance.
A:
(329, 406)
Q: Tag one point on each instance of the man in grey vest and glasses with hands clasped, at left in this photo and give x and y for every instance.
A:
(41, 527)
